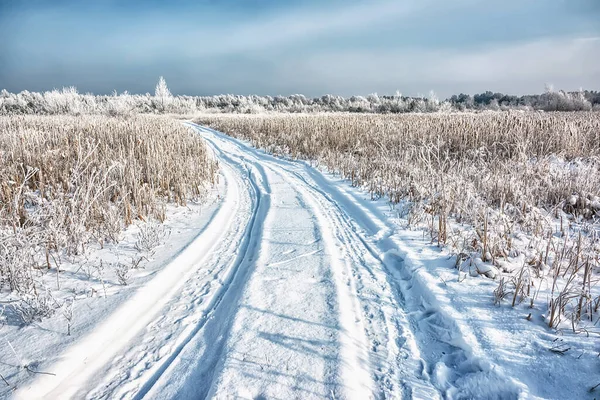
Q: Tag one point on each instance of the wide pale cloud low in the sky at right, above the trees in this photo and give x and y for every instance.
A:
(518, 68)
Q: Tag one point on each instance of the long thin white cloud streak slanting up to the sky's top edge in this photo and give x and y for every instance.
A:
(195, 37)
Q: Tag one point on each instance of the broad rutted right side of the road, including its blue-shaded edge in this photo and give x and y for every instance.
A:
(433, 355)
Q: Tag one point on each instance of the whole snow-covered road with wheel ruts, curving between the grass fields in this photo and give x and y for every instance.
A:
(296, 289)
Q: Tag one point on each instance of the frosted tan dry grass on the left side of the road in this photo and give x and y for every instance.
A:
(70, 183)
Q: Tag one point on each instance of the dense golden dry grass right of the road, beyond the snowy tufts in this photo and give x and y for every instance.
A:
(495, 158)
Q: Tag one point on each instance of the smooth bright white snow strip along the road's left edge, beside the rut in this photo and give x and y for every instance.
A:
(93, 352)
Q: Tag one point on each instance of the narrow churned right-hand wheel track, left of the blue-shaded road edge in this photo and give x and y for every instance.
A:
(401, 371)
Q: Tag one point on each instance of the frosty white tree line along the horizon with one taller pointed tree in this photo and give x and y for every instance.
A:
(70, 101)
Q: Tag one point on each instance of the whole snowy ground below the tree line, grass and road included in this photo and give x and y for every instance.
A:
(425, 255)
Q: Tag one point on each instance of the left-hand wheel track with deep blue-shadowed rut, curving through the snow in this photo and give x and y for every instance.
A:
(205, 334)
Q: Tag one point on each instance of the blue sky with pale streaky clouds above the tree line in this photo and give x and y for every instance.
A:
(311, 47)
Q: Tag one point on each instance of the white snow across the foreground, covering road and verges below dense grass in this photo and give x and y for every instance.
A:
(289, 281)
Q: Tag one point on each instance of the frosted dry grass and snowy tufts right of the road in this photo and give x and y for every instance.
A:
(515, 195)
